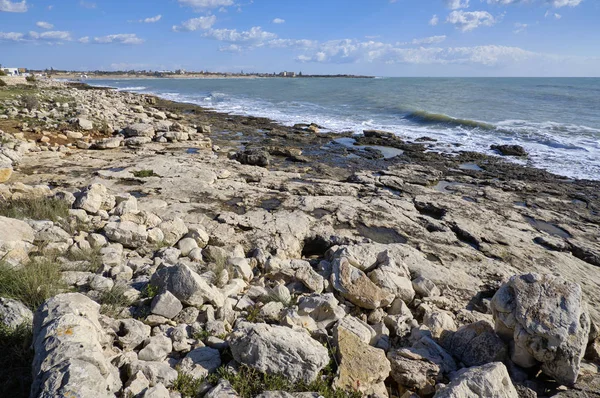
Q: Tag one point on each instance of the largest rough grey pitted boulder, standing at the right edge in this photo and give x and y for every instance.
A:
(546, 321)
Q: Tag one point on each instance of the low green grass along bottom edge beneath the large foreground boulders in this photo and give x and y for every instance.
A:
(248, 383)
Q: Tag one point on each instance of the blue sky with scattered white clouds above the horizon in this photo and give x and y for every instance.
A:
(375, 37)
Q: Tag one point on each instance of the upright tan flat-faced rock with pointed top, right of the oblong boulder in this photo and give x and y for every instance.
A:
(362, 367)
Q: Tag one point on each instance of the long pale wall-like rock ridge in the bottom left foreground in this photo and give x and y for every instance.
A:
(69, 359)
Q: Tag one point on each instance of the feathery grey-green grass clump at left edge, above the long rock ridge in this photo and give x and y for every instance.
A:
(33, 283)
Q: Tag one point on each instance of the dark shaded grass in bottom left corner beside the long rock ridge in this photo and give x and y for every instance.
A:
(16, 357)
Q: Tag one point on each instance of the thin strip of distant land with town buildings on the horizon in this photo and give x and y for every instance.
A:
(179, 73)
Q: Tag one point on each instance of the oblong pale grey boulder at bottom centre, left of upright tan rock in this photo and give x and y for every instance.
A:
(278, 350)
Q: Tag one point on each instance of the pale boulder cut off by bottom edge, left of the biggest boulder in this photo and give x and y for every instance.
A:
(490, 381)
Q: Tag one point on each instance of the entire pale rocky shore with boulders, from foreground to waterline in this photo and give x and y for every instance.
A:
(158, 249)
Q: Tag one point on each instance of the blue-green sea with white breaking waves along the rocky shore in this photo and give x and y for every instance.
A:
(557, 120)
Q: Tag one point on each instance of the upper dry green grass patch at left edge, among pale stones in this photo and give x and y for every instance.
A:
(40, 208)
